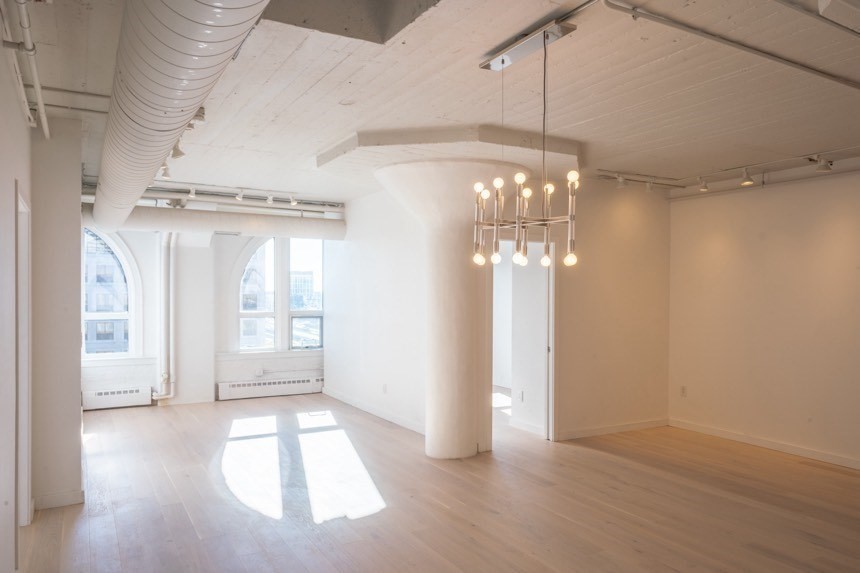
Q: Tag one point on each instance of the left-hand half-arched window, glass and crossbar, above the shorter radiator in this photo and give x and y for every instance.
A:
(104, 298)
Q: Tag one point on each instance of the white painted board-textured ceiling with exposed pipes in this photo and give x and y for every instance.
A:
(640, 97)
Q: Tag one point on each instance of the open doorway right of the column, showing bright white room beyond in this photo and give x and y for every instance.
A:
(522, 335)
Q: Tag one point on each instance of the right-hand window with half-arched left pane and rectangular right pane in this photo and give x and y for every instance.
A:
(280, 296)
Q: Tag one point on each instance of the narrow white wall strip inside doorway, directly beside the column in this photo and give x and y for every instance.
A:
(502, 316)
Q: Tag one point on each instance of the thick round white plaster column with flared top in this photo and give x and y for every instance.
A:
(459, 314)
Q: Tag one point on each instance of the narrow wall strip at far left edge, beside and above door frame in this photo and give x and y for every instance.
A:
(14, 165)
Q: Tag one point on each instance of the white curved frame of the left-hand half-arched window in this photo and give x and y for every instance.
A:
(133, 286)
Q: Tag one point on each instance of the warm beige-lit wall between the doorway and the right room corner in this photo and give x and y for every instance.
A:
(611, 320)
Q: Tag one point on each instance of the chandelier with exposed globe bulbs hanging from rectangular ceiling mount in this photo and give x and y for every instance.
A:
(522, 221)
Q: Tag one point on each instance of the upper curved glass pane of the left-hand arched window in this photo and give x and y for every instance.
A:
(105, 286)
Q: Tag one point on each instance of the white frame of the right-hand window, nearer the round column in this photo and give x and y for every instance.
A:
(283, 314)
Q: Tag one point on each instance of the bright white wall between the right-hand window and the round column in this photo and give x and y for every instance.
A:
(375, 312)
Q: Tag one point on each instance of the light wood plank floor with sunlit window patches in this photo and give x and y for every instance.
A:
(653, 500)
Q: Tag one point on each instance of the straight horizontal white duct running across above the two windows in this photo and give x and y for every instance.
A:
(193, 221)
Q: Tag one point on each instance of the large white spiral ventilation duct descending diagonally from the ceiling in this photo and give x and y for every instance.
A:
(170, 56)
